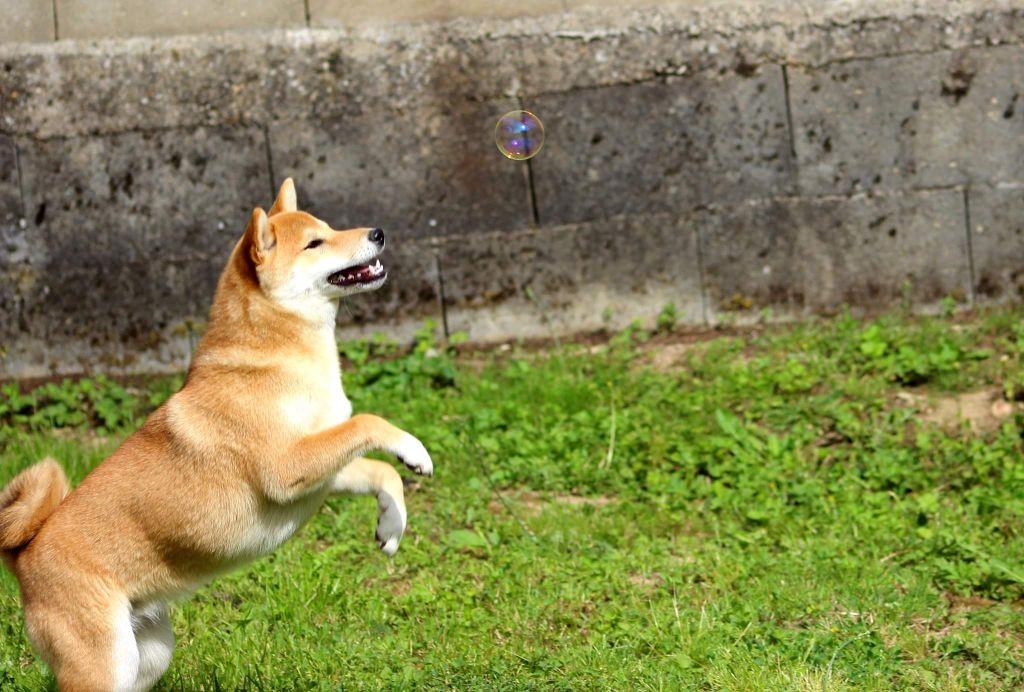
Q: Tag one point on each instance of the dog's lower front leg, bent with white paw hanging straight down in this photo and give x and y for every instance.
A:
(368, 477)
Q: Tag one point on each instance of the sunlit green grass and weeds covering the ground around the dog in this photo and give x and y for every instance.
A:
(764, 513)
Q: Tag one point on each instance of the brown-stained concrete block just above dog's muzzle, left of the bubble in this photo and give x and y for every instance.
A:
(432, 172)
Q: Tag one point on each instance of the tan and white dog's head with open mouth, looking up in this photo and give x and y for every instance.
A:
(298, 258)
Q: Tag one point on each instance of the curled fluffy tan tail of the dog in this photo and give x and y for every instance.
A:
(28, 502)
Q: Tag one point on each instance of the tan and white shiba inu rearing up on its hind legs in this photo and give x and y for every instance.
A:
(226, 471)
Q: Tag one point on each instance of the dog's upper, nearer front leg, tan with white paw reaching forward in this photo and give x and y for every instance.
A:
(317, 458)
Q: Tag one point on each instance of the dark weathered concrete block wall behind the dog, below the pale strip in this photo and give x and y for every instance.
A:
(799, 158)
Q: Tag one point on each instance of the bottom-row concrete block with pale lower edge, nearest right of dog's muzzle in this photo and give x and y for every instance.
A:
(574, 278)
